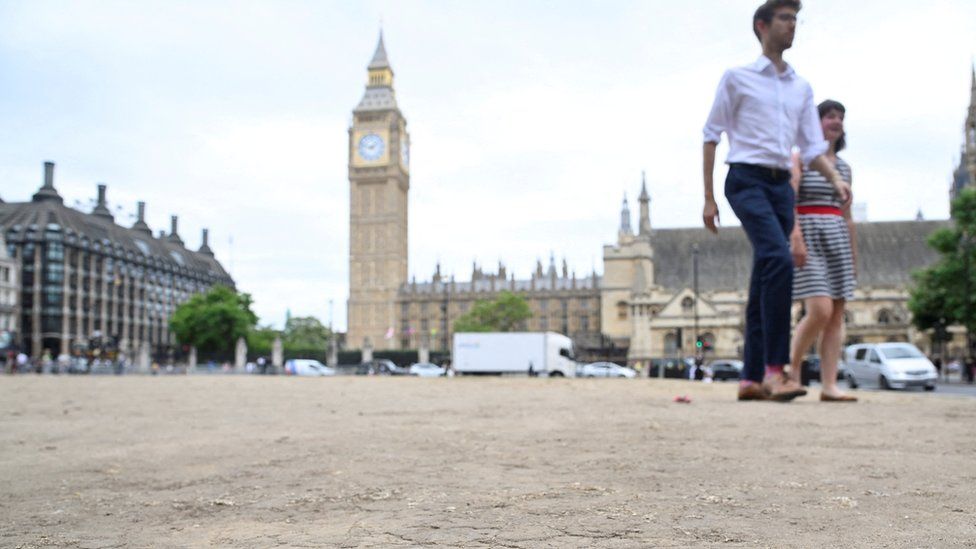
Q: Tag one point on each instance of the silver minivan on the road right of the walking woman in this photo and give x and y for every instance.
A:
(888, 366)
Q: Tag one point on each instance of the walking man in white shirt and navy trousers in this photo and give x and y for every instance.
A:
(766, 109)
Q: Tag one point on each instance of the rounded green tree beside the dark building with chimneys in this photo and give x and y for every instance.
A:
(214, 320)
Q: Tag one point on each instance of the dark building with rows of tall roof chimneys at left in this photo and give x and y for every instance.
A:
(84, 279)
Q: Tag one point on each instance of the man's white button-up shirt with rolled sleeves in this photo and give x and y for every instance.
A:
(765, 114)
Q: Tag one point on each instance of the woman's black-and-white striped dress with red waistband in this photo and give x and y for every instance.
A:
(829, 270)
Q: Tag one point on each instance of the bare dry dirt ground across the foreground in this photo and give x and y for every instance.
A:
(236, 461)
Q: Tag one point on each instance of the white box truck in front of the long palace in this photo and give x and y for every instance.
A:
(542, 353)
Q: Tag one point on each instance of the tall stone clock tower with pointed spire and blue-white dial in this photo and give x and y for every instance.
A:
(379, 180)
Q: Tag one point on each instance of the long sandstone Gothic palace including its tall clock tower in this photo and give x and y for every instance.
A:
(643, 306)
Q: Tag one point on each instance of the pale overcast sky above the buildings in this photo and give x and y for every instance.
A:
(529, 120)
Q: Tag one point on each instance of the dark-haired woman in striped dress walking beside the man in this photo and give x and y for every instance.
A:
(824, 247)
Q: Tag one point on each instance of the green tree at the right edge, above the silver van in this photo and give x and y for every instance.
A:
(943, 293)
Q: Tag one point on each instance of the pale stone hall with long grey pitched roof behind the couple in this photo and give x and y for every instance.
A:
(649, 300)
